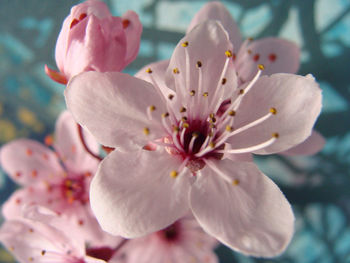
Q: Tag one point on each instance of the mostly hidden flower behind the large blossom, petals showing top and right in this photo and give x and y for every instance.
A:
(276, 54)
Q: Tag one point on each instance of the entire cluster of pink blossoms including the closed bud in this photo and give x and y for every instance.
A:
(180, 135)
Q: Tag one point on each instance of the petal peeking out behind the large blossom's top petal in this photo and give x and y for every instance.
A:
(217, 11)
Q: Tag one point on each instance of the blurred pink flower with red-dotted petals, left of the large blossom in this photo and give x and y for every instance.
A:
(61, 188)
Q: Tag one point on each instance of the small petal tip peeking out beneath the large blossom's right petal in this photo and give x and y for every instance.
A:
(312, 145)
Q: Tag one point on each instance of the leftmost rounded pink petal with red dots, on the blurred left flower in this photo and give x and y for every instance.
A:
(29, 162)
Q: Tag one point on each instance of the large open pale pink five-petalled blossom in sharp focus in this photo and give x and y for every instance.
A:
(181, 149)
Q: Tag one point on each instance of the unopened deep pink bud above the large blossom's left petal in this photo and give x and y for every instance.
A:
(91, 39)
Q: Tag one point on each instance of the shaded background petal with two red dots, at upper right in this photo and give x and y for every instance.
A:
(277, 56)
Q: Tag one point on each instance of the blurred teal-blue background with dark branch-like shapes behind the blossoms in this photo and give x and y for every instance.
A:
(318, 187)
